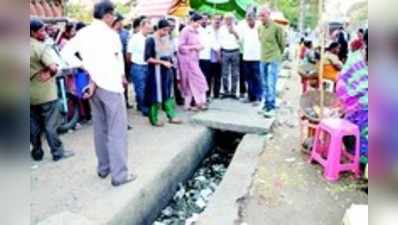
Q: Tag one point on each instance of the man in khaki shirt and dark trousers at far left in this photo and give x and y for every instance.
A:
(43, 95)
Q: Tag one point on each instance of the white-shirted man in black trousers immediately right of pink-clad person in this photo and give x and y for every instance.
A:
(205, 34)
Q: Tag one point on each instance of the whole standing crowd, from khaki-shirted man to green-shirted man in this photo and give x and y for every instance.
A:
(227, 54)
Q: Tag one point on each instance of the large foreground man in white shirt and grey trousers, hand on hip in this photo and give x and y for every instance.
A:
(101, 55)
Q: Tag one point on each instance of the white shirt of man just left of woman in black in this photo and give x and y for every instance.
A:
(136, 47)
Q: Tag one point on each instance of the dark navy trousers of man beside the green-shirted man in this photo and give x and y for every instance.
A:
(254, 80)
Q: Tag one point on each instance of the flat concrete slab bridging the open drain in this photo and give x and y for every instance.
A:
(233, 115)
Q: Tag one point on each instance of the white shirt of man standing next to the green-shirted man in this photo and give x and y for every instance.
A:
(250, 42)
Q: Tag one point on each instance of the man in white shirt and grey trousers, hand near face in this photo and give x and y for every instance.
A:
(229, 42)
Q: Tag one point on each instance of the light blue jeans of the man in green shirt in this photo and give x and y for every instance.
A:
(270, 71)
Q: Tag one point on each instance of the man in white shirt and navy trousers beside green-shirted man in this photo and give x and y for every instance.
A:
(251, 58)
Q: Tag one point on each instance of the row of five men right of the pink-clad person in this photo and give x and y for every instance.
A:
(246, 55)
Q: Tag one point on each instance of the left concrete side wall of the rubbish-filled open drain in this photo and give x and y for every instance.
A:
(157, 194)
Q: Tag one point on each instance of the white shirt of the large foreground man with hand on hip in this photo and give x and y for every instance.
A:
(101, 51)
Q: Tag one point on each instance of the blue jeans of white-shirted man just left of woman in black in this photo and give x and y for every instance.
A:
(139, 76)
